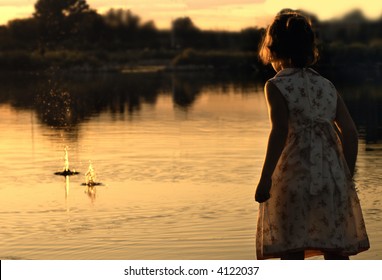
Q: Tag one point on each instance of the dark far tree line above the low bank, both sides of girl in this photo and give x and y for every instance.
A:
(73, 25)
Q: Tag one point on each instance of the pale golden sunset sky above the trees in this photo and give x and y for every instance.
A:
(209, 14)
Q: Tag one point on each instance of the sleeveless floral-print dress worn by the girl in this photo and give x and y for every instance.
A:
(314, 205)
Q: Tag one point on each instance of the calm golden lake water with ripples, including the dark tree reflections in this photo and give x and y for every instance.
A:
(178, 156)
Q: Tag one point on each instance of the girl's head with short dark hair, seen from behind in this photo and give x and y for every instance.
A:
(289, 39)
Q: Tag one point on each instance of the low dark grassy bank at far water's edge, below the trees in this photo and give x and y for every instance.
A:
(186, 61)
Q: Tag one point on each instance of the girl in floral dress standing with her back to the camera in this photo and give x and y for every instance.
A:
(308, 202)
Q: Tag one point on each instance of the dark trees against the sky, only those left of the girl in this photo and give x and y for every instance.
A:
(72, 24)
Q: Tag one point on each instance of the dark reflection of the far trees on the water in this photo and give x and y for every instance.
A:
(63, 102)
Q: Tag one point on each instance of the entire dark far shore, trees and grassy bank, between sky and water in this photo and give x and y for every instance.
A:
(71, 35)
